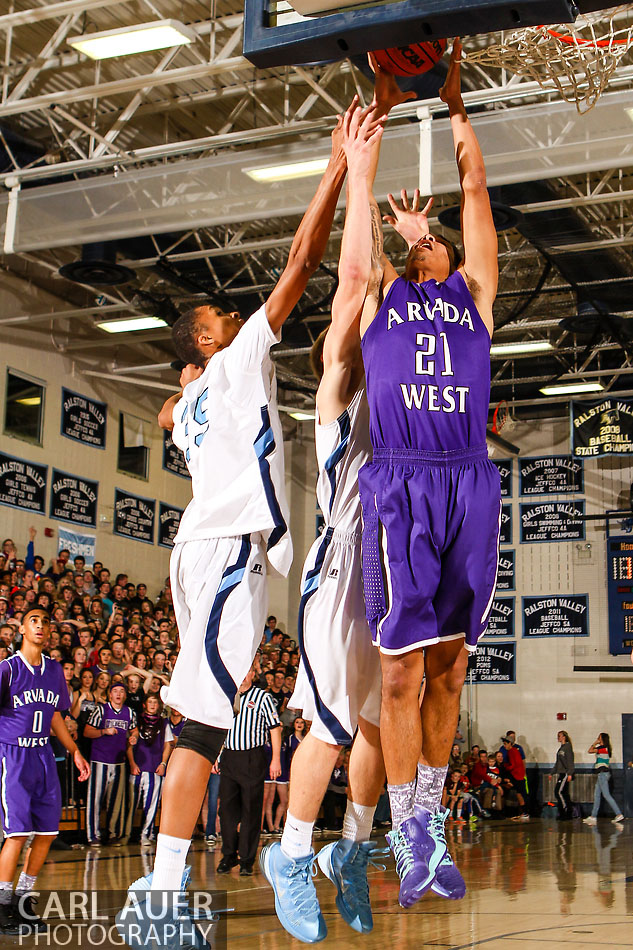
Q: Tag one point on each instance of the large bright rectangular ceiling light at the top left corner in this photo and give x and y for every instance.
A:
(126, 40)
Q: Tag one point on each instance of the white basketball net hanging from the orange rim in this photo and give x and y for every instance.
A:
(576, 59)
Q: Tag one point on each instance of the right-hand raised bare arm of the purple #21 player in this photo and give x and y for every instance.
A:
(480, 266)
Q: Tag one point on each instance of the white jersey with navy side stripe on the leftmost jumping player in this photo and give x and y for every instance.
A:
(228, 427)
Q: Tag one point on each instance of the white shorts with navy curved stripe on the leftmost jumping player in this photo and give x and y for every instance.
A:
(220, 597)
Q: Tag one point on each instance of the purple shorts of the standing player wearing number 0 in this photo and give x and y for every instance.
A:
(30, 796)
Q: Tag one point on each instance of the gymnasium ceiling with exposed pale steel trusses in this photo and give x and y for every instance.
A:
(65, 118)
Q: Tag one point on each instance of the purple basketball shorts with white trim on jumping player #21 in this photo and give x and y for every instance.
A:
(430, 546)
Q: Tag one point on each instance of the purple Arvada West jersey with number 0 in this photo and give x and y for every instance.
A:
(29, 698)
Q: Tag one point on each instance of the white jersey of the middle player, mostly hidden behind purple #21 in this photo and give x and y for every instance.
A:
(342, 449)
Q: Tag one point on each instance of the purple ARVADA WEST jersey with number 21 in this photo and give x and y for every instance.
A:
(427, 363)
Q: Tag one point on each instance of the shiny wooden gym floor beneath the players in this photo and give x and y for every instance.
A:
(539, 884)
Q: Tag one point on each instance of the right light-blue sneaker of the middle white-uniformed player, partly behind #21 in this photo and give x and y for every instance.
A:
(345, 864)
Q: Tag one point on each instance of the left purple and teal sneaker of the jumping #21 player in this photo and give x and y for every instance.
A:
(418, 846)
